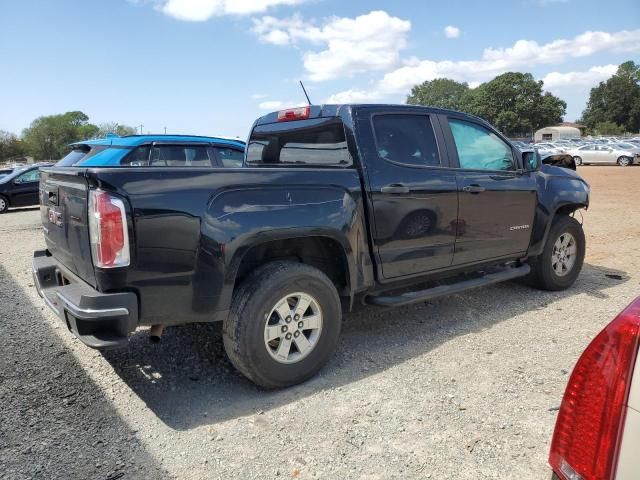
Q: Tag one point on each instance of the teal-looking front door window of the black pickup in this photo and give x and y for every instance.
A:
(479, 148)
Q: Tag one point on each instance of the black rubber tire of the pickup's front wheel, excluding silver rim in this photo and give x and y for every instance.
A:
(542, 275)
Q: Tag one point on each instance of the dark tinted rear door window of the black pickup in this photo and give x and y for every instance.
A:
(407, 139)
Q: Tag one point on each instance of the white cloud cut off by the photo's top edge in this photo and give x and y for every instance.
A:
(201, 10)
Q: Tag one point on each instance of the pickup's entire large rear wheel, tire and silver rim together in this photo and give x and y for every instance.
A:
(253, 311)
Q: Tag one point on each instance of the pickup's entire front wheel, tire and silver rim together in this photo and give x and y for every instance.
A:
(560, 263)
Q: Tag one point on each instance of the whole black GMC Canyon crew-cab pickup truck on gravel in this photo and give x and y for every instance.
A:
(336, 206)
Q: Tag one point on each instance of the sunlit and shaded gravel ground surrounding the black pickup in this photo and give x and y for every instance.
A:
(463, 387)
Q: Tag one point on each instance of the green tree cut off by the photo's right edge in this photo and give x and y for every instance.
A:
(617, 100)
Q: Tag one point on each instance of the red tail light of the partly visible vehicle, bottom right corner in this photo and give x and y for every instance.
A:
(589, 427)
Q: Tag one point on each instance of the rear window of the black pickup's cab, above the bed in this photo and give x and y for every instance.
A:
(317, 142)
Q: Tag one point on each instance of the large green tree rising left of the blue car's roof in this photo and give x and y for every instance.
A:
(48, 137)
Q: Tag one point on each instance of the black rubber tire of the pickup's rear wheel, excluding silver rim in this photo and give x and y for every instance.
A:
(244, 329)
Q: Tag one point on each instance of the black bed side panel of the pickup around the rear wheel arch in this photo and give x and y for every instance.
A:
(193, 227)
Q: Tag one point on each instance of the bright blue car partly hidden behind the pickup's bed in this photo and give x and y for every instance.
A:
(155, 150)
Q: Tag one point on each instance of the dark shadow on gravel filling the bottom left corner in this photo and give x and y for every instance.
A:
(55, 422)
